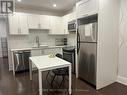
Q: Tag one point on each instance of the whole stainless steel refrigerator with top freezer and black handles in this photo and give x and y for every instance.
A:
(87, 50)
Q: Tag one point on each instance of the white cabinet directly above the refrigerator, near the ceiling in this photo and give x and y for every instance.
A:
(86, 8)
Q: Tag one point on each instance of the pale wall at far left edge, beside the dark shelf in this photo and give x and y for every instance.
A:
(2, 31)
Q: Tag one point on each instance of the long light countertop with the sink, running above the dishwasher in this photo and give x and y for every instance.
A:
(40, 48)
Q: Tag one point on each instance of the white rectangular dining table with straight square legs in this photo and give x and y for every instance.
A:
(44, 63)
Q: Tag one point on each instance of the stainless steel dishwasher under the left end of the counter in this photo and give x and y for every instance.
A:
(21, 60)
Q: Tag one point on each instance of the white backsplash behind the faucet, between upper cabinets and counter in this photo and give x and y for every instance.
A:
(23, 41)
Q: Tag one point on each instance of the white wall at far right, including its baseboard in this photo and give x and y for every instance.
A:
(122, 68)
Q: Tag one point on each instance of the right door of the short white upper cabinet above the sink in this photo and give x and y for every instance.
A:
(44, 22)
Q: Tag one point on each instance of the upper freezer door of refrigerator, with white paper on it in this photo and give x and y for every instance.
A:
(88, 32)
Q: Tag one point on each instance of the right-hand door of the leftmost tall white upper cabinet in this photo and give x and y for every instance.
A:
(23, 24)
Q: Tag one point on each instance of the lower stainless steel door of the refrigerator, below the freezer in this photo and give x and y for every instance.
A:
(87, 62)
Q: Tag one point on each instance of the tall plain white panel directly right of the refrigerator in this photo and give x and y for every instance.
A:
(107, 47)
